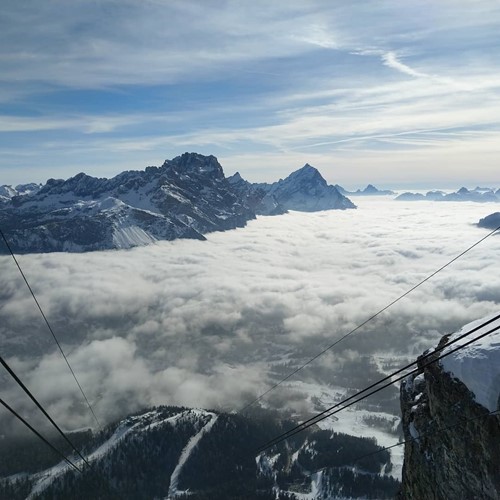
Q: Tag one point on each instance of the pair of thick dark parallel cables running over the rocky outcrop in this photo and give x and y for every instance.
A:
(328, 412)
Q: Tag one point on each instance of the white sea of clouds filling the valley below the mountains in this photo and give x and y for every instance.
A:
(214, 323)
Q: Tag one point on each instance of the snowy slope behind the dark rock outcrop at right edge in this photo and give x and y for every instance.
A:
(477, 365)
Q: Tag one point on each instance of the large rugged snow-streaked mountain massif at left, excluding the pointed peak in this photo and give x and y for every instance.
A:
(184, 198)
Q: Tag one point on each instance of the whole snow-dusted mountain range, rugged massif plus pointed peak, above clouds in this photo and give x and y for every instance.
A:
(186, 197)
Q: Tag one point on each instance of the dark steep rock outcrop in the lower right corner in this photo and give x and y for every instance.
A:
(453, 448)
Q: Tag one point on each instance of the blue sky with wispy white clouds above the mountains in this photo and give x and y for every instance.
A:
(389, 92)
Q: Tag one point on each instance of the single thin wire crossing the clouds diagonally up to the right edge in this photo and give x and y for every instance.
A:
(277, 384)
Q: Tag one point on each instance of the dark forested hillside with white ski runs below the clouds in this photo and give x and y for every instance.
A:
(170, 452)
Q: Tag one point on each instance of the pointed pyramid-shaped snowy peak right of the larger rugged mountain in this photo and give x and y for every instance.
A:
(304, 190)
